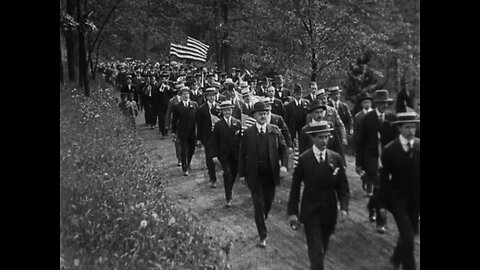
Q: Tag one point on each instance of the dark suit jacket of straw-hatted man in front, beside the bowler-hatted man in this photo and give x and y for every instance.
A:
(321, 188)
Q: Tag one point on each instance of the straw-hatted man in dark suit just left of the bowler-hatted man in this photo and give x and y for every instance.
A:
(225, 147)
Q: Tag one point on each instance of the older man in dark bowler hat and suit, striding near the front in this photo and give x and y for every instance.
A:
(262, 149)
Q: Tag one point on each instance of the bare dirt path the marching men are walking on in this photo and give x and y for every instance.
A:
(354, 245)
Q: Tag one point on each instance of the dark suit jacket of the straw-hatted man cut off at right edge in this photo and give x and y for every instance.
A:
(400, 178)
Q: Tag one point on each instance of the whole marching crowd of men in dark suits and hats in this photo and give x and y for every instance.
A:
(250, 126)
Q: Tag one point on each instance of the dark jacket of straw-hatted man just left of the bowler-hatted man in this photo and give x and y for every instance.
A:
(226, 140)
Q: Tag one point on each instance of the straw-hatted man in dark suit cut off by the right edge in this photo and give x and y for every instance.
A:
(400, 187)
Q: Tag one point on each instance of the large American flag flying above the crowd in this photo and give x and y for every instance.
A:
(185, 47)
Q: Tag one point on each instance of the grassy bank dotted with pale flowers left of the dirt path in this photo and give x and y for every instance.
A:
(113, 209)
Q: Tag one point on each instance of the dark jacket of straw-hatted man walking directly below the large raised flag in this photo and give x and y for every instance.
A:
(183, 120)
